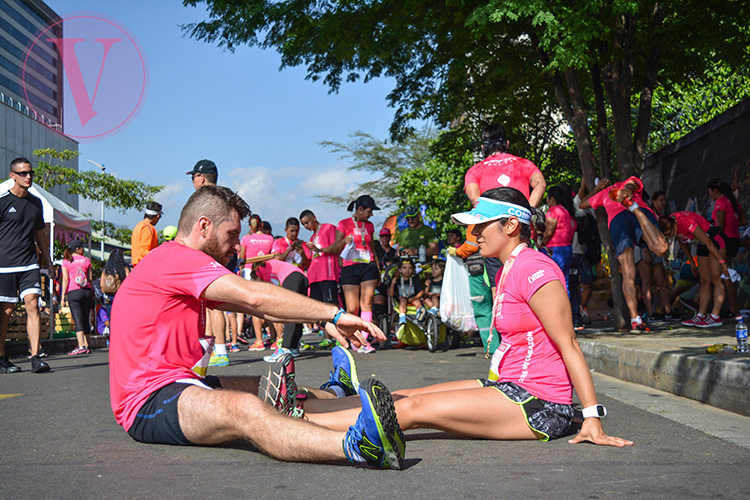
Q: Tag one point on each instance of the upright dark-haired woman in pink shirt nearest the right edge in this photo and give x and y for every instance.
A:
(728, 216)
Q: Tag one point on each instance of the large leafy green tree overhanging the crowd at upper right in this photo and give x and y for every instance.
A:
(596, 62)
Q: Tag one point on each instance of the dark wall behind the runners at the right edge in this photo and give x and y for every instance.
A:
(718, 149)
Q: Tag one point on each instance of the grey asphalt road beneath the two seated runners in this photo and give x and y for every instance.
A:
(58, 439)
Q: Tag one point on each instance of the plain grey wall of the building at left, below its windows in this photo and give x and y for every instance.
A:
(20, 135)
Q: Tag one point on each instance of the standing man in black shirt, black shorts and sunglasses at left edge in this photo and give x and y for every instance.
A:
(21, 232)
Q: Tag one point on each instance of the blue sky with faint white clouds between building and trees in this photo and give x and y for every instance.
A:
(260, 125)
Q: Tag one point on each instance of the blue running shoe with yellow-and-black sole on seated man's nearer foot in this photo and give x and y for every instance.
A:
(376, 438)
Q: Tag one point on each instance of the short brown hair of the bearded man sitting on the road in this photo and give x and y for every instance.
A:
(214, 202)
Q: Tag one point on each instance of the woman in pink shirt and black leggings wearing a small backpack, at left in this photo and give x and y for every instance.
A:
(76, 292)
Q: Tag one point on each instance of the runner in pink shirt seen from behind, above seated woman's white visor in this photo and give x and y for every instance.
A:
(499, 168)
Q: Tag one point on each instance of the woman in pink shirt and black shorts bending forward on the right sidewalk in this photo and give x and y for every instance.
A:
(712, 252)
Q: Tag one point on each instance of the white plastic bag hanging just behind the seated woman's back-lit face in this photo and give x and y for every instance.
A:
(455, 299)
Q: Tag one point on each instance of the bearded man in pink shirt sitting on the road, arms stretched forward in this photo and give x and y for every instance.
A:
(159, 352)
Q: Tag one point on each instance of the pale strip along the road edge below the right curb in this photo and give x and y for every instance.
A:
(713, 421)
